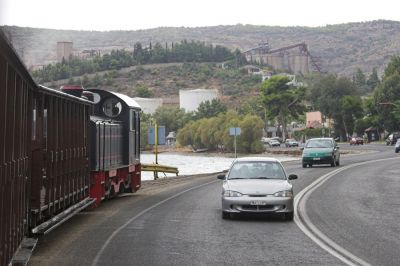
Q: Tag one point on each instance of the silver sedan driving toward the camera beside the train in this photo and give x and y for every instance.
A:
(257, 185)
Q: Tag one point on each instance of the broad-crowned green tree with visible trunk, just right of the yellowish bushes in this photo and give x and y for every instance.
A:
(282, 100)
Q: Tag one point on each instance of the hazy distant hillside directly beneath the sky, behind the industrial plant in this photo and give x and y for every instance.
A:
(341, 48)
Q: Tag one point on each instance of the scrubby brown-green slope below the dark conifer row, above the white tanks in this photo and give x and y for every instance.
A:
(165, 81)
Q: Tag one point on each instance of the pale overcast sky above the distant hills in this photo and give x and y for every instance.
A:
(141, 14)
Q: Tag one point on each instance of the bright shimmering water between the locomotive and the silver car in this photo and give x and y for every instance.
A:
(191, 164)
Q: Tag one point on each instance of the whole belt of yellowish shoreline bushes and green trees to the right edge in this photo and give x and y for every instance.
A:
(353, 109)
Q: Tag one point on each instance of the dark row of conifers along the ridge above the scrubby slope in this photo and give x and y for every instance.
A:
(193, 51)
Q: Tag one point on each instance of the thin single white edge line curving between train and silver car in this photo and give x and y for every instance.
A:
(111, 237)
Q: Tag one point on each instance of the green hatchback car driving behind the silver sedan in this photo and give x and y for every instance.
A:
(321, 151)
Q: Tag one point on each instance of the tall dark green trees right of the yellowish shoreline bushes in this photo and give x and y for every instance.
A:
(353, 104)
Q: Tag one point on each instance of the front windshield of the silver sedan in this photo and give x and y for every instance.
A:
(256, 170)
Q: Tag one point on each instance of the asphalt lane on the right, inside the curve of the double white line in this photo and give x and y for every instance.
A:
(359, 209)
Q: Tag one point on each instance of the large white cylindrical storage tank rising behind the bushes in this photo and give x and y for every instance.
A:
(191, 99)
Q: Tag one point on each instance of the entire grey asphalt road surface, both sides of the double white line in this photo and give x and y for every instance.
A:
(181, 224)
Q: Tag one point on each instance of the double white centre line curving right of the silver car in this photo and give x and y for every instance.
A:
(304, 223)
